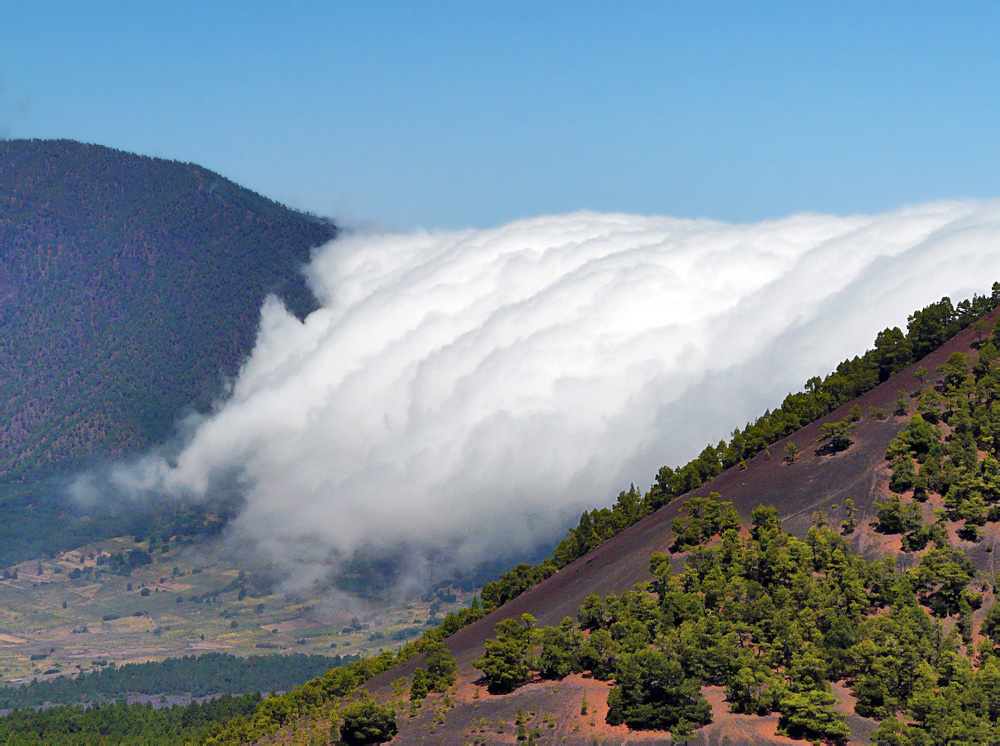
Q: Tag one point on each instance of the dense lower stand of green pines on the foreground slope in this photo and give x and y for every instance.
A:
(775, 620)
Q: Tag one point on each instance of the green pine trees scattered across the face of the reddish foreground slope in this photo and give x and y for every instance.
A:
(804, 632)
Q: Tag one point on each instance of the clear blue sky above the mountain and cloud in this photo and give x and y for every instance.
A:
(475, 113)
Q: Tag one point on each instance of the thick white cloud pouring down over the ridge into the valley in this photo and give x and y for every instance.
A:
(463, 395)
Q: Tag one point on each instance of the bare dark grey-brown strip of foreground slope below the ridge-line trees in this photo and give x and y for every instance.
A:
(814, 482)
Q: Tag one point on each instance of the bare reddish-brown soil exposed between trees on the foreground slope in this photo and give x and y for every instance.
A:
(813, 482)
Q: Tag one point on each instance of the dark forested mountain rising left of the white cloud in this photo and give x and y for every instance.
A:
(128, 287)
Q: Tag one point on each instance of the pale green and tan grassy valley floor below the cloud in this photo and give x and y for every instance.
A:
(72, 613)
